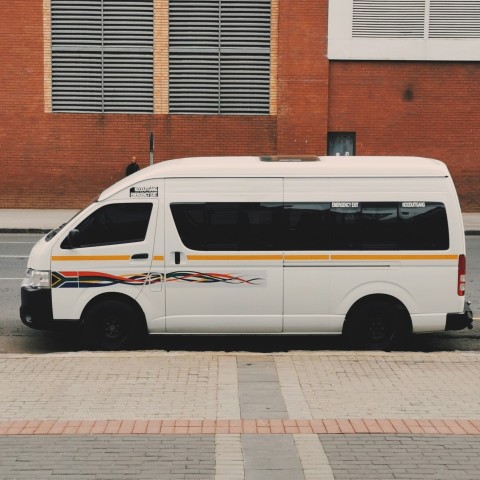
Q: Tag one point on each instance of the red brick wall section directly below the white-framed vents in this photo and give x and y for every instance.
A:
(413, 108)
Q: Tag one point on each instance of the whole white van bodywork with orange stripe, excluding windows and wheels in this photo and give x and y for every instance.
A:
(181, 289)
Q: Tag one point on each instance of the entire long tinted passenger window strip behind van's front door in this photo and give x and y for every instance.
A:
(312, 226)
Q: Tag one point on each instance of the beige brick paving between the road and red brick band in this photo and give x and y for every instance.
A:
(151, 385)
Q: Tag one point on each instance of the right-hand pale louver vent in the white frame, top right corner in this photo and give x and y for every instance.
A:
(458, 19)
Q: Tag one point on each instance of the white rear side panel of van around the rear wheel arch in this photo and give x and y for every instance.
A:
(346, 277)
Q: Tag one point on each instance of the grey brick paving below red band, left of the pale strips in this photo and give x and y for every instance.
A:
(104, 457)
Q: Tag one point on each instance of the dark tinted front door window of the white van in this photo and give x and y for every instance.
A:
(114, 224)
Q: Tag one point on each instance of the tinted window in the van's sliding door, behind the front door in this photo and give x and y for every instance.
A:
(229, 226)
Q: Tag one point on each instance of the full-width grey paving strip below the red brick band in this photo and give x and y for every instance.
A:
(250, 457)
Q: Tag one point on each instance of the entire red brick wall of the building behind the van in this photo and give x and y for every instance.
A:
(64, 160)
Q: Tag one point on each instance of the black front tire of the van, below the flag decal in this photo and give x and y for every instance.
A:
(112, 325)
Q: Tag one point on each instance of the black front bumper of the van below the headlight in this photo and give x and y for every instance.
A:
(36, 308)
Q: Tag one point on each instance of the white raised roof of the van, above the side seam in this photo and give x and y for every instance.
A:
(285, 166)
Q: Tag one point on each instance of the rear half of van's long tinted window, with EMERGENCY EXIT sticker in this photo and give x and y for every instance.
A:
(366, 226)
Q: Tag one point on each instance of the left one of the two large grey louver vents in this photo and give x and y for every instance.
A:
(102, 56)
